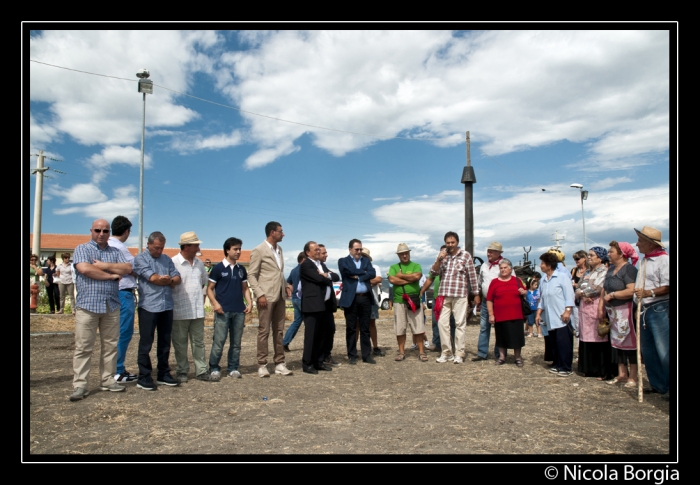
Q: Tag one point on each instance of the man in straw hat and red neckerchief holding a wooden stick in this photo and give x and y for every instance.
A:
(653, 288)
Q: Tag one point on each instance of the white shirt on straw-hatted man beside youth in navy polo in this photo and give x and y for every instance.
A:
(188, 296)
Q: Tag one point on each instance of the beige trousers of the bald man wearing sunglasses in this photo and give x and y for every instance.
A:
(86, 326)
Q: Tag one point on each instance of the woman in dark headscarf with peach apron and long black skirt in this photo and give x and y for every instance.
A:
(594, 351)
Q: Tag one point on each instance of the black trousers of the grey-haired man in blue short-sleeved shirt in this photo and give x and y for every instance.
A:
(149, 322)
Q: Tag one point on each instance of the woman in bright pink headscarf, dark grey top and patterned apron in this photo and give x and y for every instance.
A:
(616, 302)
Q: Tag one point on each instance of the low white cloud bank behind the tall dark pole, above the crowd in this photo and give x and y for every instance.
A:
(523, 217)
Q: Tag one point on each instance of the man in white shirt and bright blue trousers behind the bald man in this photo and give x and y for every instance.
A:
(121, 230)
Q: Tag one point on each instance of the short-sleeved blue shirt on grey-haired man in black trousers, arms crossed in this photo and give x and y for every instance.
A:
(154, 298)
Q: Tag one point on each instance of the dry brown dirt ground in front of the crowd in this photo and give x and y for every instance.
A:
(391, 408)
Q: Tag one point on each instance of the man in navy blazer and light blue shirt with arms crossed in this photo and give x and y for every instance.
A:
(356, 300)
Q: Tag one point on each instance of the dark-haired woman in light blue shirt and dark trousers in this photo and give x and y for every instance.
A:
(556, 304)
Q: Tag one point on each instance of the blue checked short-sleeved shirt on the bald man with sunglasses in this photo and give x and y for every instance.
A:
(97, 296)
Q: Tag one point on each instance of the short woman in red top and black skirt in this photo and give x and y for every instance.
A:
(506, 313)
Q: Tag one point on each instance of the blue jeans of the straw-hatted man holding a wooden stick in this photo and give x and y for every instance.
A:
(655, 339)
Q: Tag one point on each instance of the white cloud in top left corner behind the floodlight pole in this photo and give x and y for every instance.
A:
(98, 110)
